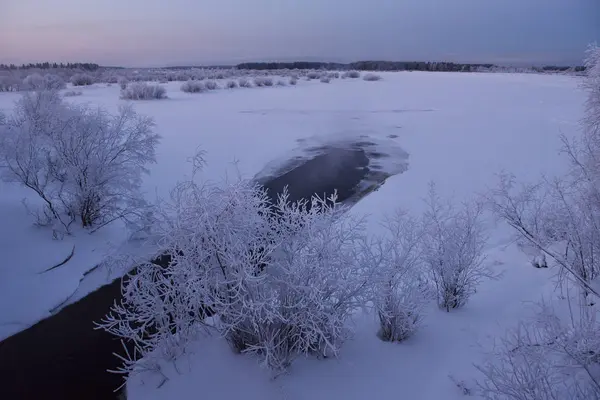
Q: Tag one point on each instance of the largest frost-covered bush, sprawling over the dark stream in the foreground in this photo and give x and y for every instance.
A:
(280, 280)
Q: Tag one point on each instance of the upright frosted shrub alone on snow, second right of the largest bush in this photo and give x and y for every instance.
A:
(453, 249)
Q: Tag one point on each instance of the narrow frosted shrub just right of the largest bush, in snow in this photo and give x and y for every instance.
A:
(400, 292)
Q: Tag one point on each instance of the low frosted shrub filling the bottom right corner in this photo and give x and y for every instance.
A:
(545, 358)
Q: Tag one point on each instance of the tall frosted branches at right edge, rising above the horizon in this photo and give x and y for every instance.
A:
(560, 218)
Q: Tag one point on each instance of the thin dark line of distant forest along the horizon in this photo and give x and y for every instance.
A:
(359, 65)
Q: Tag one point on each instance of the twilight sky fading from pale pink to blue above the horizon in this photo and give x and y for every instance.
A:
(176, 32)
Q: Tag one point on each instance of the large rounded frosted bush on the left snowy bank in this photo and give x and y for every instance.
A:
(84, 163)
